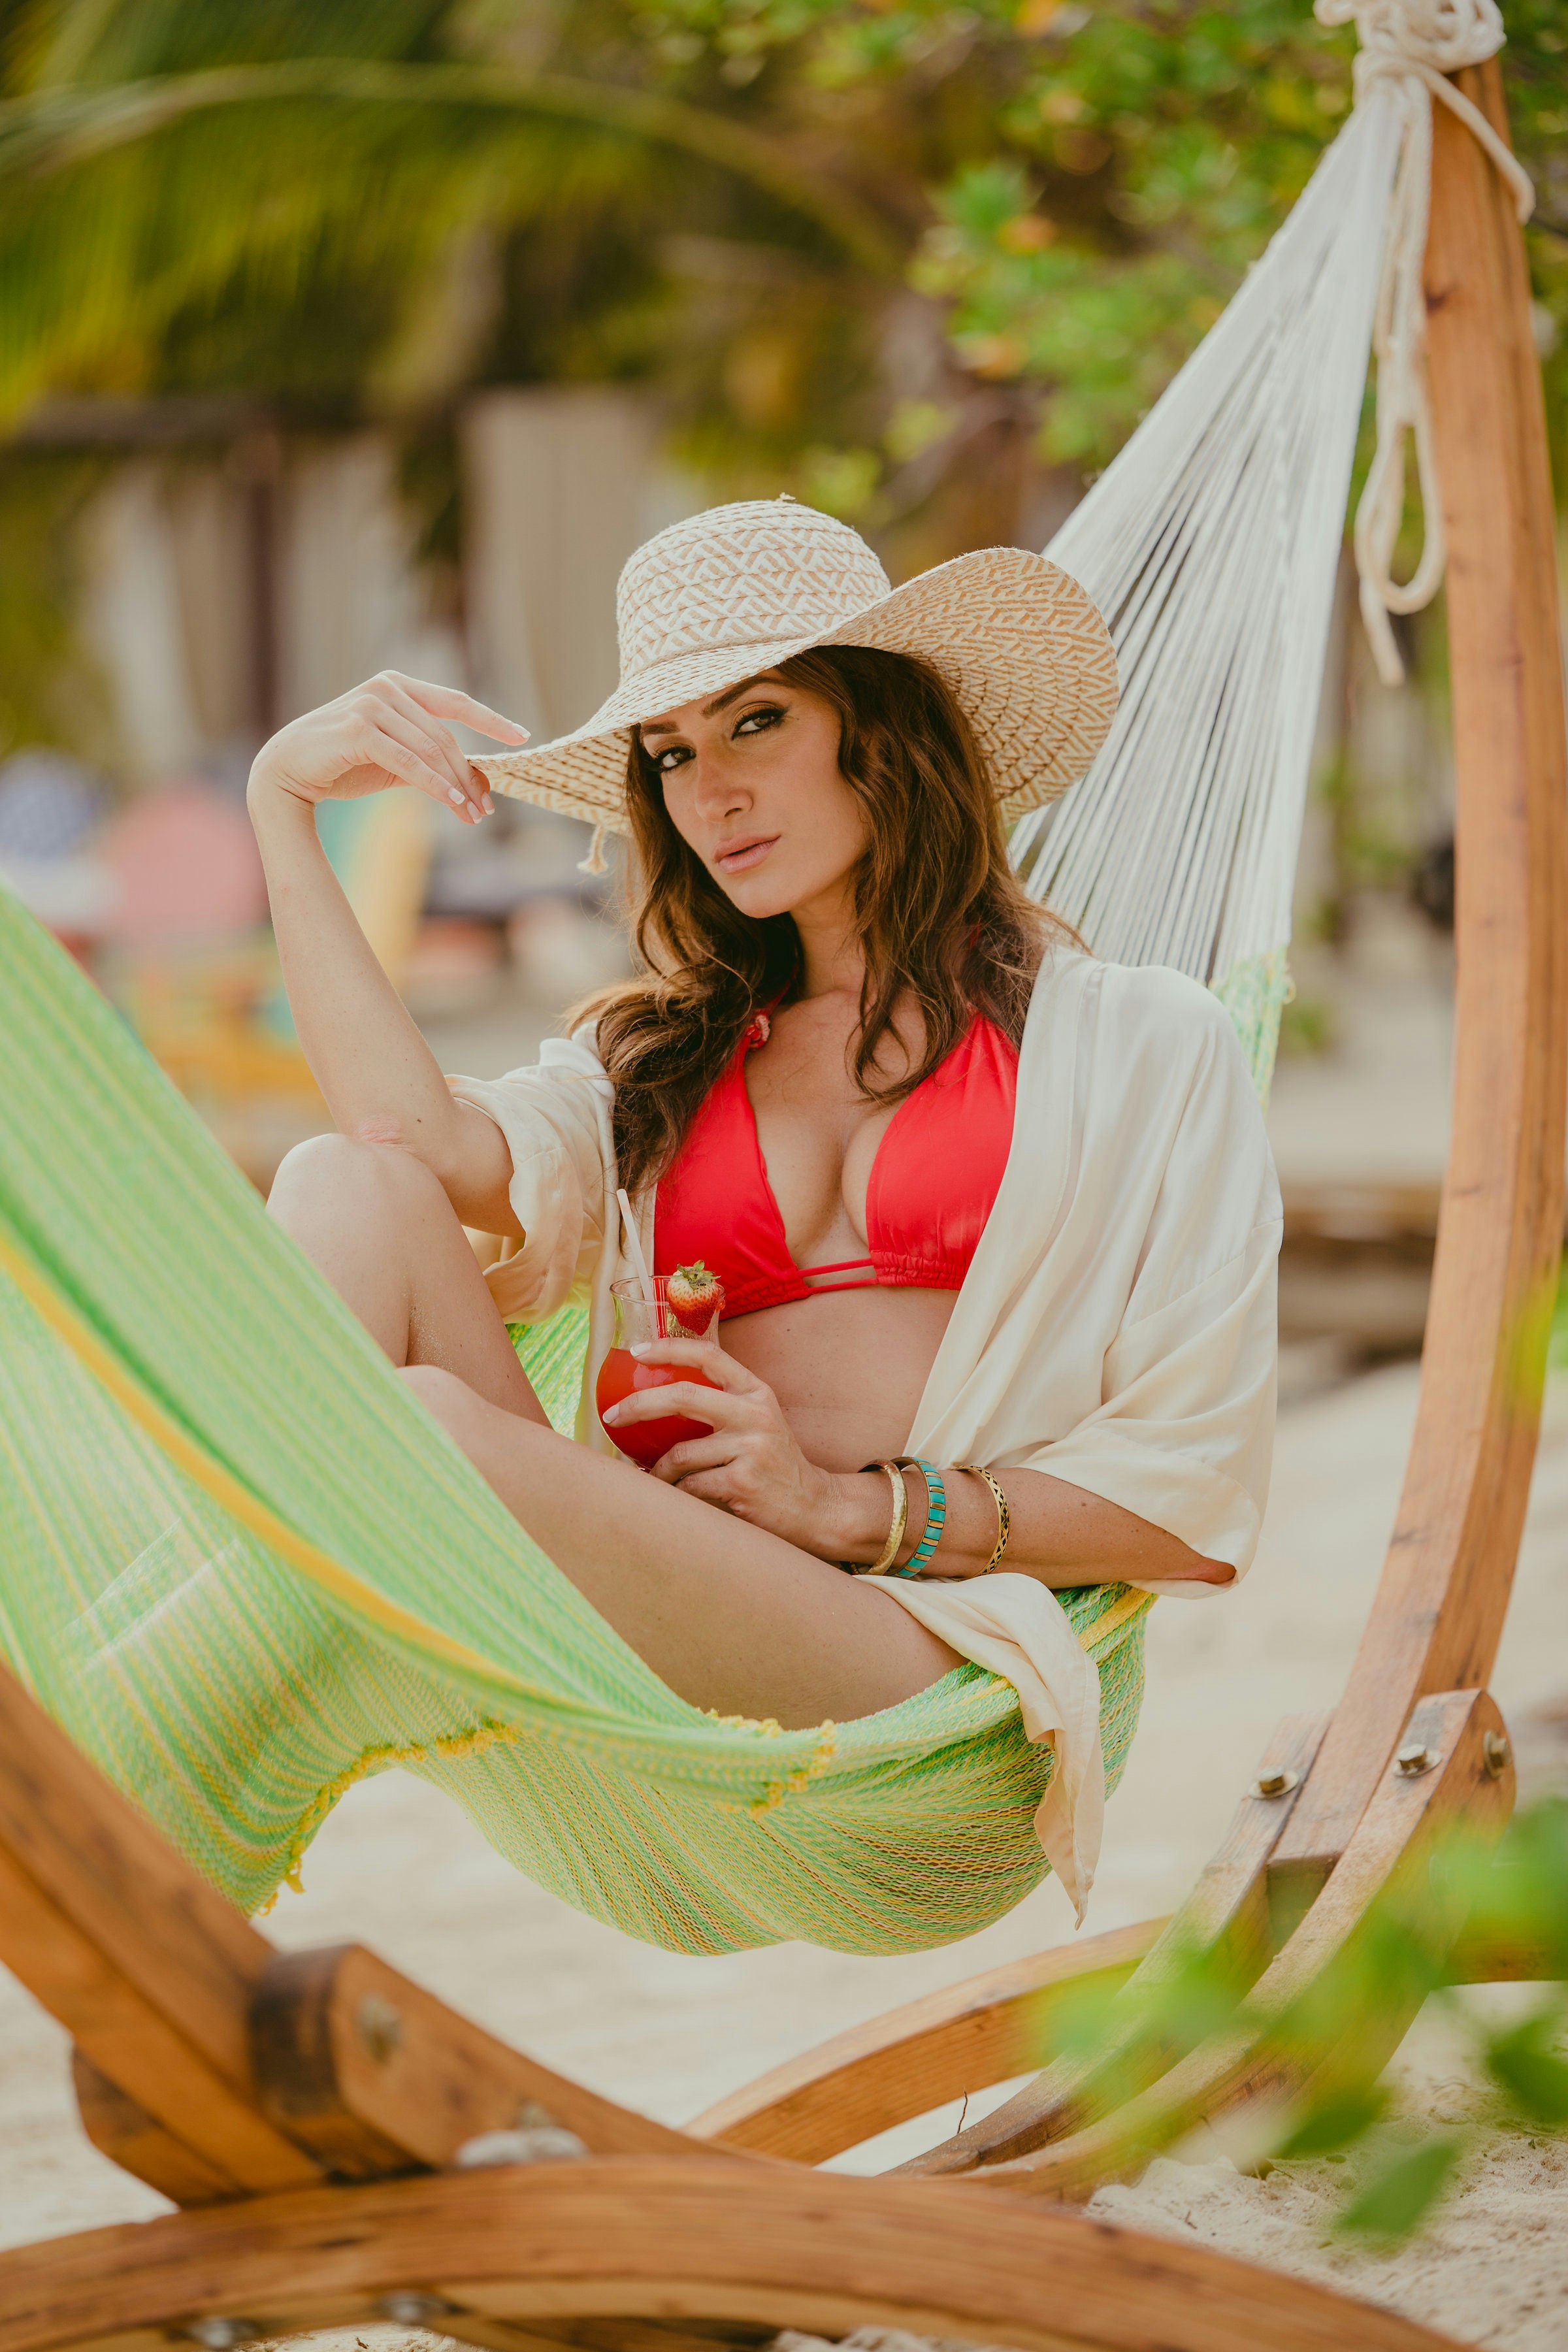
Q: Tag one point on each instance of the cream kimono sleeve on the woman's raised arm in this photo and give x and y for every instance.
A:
(556, 1116)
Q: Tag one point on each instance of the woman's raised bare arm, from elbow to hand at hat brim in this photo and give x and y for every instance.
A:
(377, 1074)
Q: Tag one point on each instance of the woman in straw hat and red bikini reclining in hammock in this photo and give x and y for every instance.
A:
(974, 1196)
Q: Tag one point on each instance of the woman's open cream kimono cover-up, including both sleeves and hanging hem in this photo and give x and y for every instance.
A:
(1115, 1328)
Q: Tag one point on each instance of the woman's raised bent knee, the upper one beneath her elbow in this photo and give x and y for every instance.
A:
(387, 1238)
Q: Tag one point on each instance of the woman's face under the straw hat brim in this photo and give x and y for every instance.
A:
(753, 787)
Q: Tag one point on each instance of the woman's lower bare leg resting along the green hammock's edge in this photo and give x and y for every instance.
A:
(730, 1617)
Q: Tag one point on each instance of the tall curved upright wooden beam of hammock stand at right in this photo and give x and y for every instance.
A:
(1445, 1591)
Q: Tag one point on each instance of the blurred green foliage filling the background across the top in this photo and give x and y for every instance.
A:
(843, 241)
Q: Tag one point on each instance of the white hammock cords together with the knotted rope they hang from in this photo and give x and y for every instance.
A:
(1212, 544)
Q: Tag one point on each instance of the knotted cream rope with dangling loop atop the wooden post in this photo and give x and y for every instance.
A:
(1409, 48)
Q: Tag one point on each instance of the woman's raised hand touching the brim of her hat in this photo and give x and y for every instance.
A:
(391, 730)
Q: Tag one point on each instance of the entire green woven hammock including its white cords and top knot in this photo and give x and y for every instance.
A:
(246, 1570)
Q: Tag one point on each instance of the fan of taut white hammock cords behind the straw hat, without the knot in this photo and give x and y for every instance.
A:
(1212, 547)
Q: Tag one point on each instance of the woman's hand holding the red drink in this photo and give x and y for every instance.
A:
(751, 1464)
